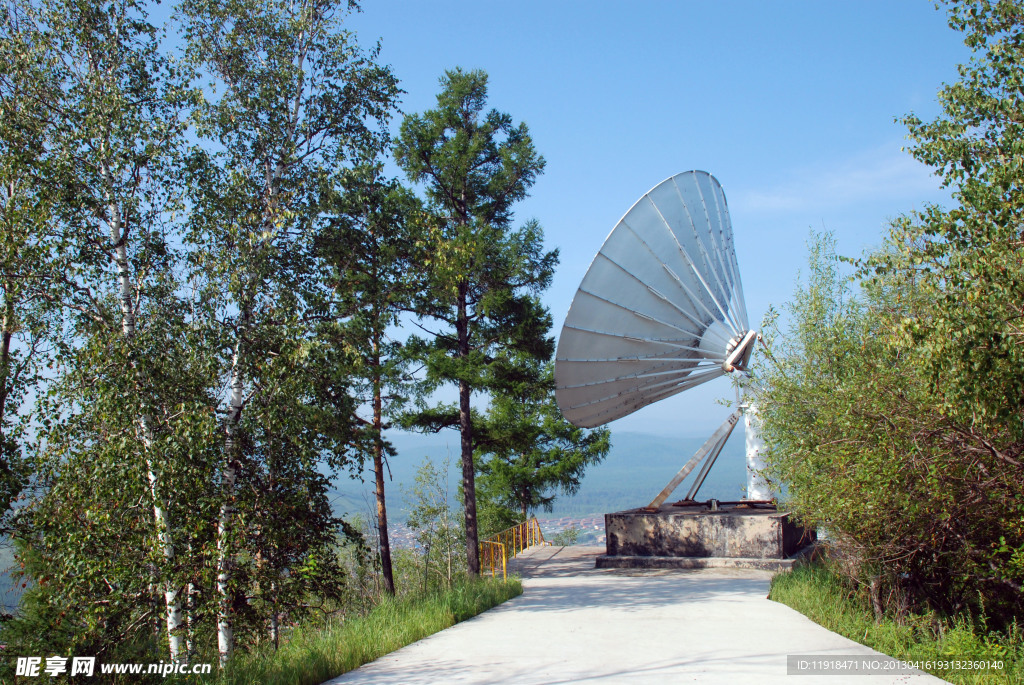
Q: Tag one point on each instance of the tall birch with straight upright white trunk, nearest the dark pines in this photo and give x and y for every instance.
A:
(292, 101)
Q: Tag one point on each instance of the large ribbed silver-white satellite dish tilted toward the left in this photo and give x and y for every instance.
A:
(661, 309)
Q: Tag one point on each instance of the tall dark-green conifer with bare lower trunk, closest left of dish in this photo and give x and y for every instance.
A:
(484, 277)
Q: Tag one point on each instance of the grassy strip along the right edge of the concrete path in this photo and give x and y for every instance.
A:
(823, 597)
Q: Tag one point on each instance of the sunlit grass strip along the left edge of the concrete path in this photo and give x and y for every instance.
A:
(316, 654)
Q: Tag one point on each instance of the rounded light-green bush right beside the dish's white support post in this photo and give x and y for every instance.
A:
(923, 512)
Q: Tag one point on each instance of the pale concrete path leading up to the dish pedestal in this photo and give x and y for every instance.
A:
(576, 624)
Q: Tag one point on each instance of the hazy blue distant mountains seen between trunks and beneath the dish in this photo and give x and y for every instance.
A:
(636, 469)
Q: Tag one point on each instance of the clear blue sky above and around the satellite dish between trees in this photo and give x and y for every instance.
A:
(791, 106)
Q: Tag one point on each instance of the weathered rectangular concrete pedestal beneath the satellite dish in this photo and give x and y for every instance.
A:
(697, 538)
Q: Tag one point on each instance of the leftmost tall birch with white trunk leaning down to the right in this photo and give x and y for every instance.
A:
(106, 109)
